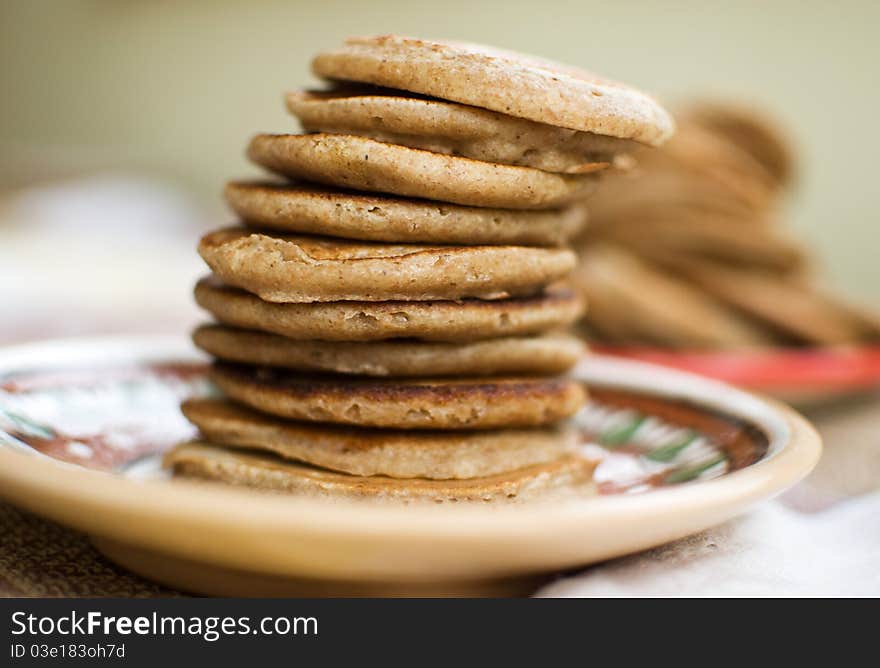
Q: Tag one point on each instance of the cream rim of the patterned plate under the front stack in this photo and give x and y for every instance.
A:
(42, 485)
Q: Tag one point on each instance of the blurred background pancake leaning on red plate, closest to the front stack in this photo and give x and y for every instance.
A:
(633, 302)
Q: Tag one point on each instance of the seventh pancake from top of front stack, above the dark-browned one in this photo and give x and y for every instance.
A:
(548, 354)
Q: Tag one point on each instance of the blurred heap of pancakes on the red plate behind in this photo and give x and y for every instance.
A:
(686, 250)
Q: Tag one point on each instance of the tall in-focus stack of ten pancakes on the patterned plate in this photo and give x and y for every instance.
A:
(391, 319)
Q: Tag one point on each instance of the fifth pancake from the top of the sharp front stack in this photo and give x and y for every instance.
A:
(319, 269)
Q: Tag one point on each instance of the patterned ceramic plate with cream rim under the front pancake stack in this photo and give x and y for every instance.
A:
(83, 424)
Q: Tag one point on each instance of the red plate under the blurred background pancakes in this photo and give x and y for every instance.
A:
(801, 376)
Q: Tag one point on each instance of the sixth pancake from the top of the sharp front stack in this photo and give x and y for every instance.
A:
(467, 320)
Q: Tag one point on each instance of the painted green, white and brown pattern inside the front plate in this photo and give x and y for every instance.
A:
(120, 418)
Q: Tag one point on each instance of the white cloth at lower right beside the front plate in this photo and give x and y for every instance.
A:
(773, 551)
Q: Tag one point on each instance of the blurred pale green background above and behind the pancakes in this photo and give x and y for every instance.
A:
(174, 89)
